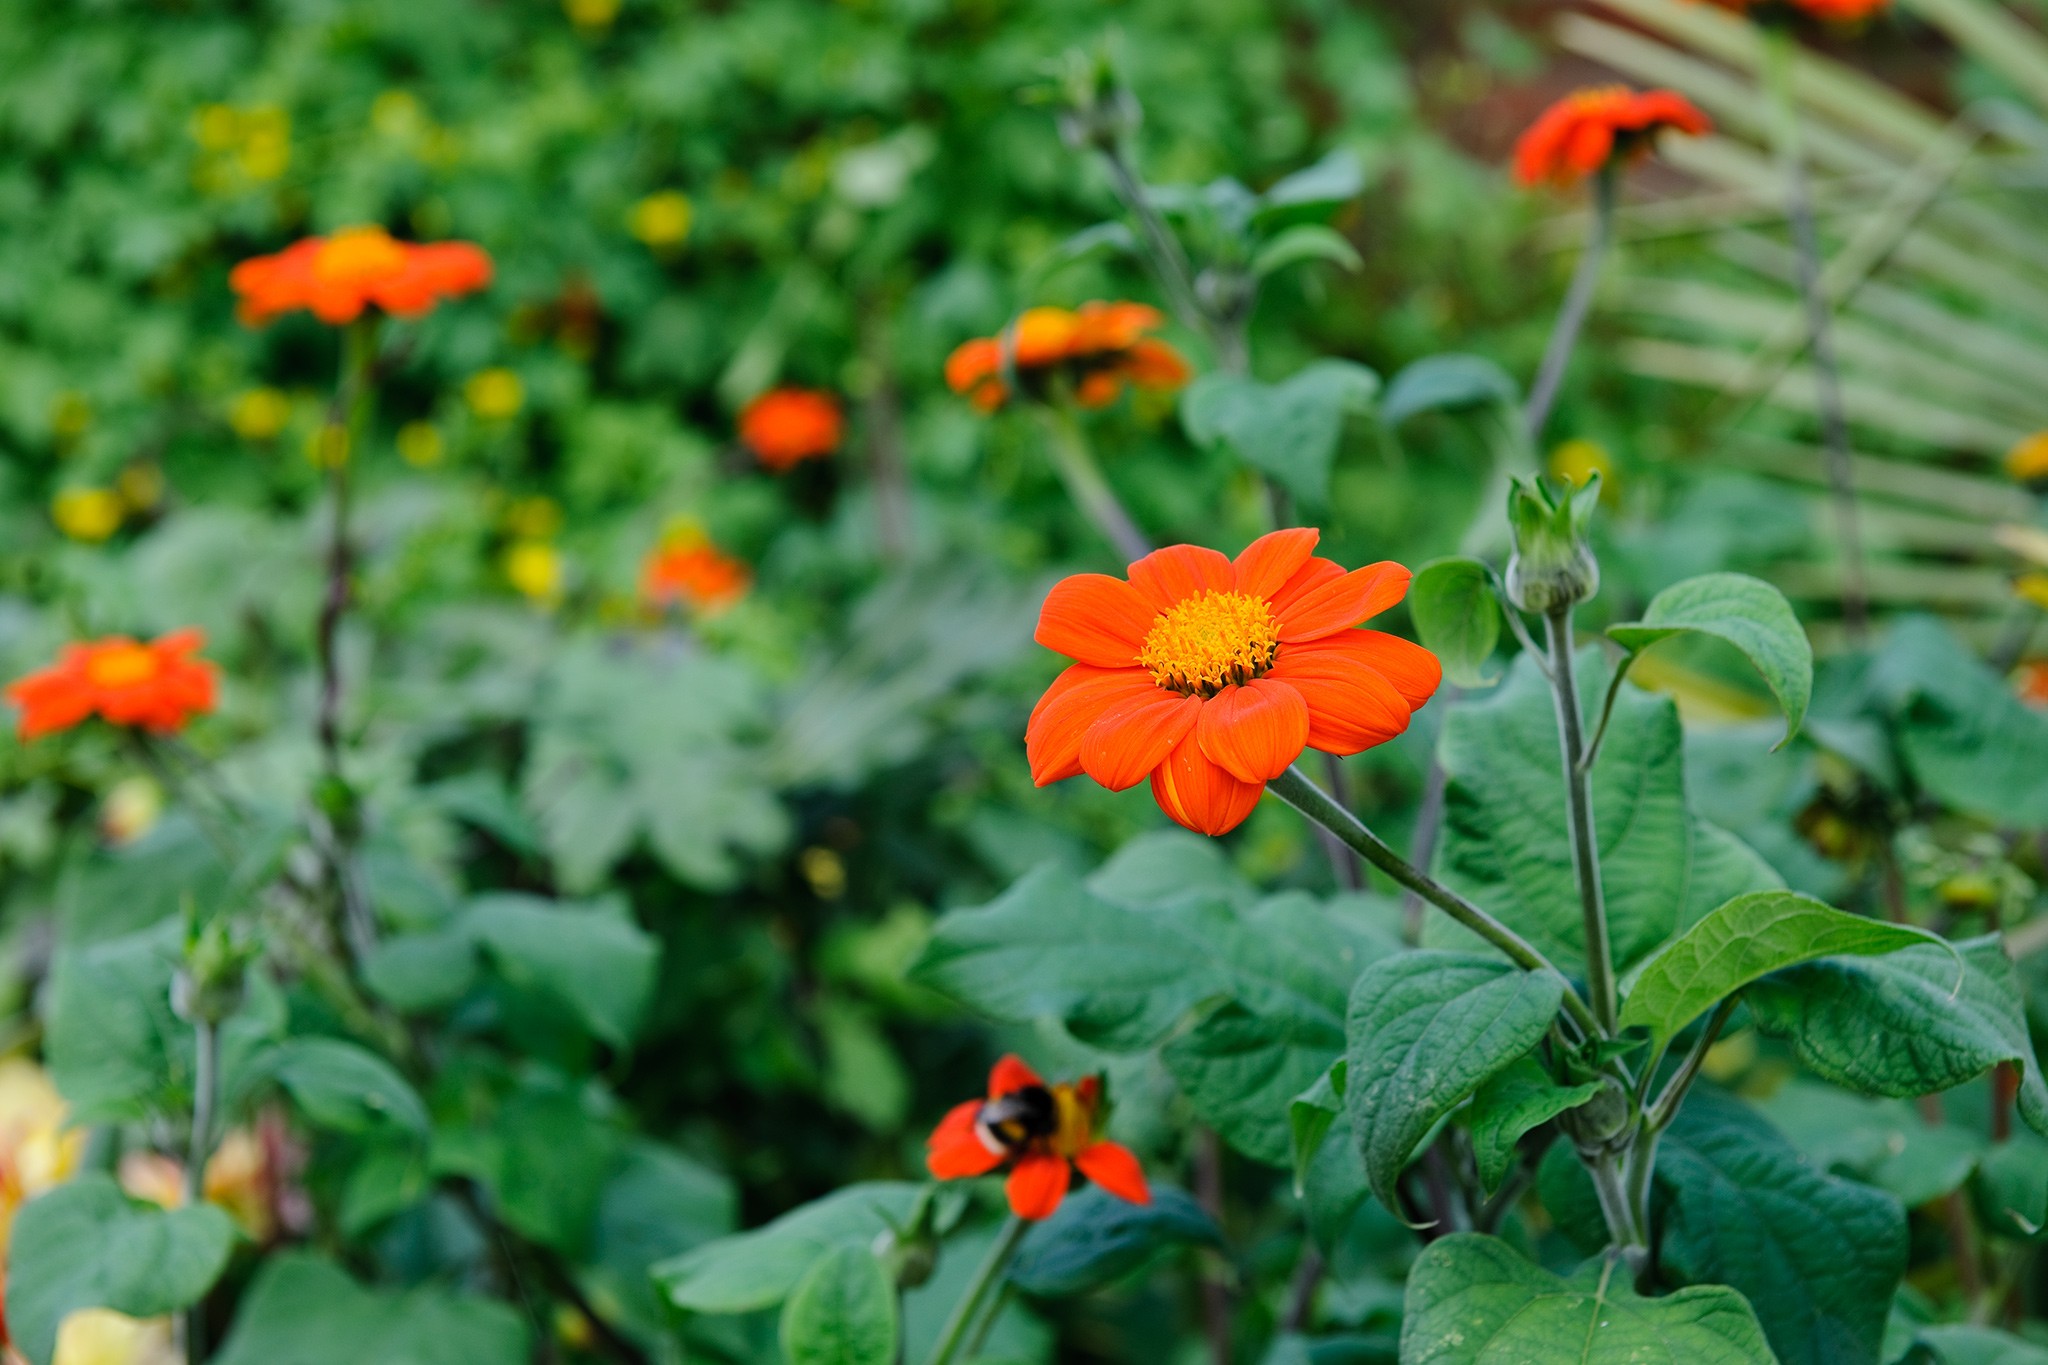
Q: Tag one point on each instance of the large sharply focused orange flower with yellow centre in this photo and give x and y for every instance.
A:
(1213, 674)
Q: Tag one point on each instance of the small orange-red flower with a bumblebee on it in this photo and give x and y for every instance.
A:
(1043, 1131)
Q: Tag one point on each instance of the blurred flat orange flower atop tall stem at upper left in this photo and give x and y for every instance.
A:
(359, 267)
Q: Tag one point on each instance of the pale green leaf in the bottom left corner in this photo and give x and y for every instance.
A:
(87, 1245)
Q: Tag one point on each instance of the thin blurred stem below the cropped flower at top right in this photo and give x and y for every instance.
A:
(1781, 58)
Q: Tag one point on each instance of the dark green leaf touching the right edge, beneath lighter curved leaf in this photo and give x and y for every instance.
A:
(1902, 1026)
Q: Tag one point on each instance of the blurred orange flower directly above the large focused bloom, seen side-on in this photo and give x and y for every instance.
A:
(1099, 351)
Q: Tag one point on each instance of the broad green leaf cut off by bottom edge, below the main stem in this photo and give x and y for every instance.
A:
(1474, 1301)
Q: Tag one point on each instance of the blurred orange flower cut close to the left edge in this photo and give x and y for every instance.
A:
(155, 687)
